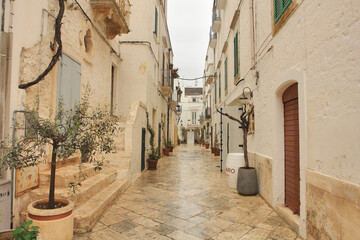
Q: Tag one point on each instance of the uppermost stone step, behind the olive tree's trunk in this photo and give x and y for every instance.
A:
(67, 174)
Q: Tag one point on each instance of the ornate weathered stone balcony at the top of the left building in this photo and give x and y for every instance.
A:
(114, 15)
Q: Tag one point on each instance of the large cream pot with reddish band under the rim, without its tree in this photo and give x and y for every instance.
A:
(54, 224)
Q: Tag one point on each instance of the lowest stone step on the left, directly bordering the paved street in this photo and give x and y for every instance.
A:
(89, 213)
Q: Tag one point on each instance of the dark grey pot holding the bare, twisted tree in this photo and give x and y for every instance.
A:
(247, 181)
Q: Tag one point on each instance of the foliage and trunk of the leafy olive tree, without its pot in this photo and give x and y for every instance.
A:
(67, 131)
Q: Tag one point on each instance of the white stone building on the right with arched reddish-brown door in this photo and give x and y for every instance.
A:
(298, 59)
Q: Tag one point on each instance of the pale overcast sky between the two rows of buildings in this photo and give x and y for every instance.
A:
(189, 24)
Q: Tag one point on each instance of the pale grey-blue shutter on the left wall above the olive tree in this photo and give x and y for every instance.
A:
(69, 82)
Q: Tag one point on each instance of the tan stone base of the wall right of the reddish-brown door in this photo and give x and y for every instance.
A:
(333, 207)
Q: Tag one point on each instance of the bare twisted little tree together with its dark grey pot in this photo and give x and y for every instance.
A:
(247, 177)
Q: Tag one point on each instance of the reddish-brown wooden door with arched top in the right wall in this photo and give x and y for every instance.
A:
(291, 141)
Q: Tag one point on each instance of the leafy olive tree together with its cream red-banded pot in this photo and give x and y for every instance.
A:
(65, 131)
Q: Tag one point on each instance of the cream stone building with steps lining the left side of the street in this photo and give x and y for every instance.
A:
(123, 51)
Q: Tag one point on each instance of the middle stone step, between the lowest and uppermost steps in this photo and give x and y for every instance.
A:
(89, 187)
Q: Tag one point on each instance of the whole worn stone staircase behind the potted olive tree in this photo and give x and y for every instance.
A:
(98, 190)
